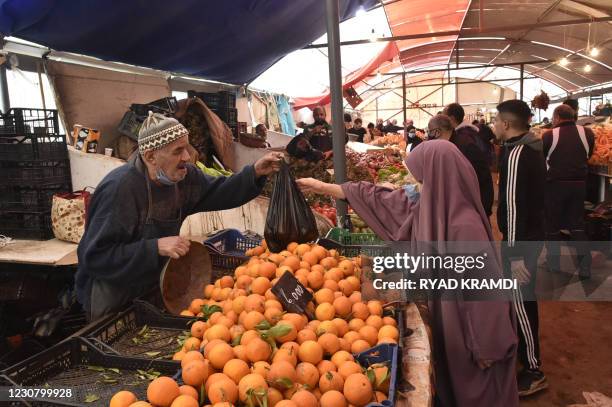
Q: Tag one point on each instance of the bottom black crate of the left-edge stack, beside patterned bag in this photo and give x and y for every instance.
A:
(26, 225)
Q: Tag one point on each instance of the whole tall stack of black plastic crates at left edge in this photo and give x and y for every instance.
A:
(34, 166)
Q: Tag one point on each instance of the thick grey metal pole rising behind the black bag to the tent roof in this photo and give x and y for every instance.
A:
(335, 87)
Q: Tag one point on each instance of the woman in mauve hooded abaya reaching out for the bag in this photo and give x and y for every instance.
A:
(474, 342)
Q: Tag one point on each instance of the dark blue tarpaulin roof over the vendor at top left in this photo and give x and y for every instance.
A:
(226, 41)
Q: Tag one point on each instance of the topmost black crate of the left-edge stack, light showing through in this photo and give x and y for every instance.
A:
(24, 121)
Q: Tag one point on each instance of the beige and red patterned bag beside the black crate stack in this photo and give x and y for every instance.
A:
(68, 215)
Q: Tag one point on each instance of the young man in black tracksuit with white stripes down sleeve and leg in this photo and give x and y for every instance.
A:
(520, 217)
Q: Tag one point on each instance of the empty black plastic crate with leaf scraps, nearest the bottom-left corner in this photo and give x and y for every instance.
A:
(78, 365)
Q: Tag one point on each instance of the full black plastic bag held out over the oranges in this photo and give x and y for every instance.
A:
(289, 218)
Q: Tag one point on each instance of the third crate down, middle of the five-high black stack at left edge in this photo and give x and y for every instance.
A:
(35, 173)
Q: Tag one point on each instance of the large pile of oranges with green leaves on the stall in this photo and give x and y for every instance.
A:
(250, 352)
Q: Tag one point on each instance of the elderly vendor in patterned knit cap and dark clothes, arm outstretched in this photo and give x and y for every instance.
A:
(137, 210)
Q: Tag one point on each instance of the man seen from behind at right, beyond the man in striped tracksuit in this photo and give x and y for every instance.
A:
(567, 149)
